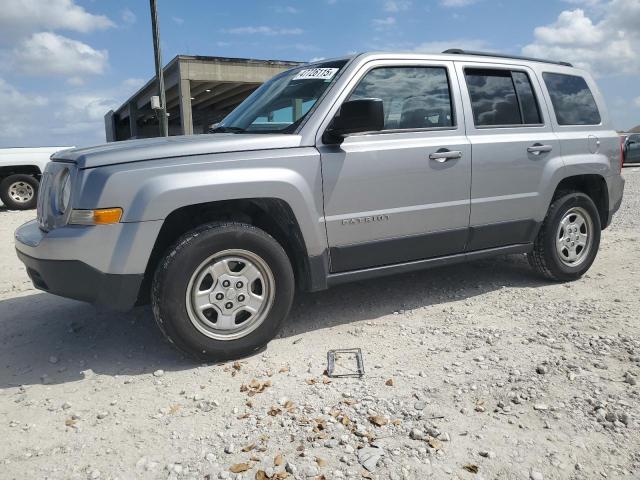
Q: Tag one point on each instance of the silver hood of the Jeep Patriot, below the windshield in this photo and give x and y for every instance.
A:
(167, 147)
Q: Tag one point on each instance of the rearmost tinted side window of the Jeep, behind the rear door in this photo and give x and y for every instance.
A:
(572, 100)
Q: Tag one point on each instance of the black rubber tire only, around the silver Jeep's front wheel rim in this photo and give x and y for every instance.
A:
(172, 277)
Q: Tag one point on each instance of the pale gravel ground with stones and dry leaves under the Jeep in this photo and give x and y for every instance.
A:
(474, 371)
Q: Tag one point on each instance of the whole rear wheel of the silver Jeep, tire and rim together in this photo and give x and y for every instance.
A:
(569, 238)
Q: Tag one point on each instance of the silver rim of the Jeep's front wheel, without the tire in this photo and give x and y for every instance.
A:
(230, 294)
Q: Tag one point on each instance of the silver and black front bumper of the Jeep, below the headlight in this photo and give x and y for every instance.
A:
(102, 264)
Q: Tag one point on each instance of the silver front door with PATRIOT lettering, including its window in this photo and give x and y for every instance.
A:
(400, 194)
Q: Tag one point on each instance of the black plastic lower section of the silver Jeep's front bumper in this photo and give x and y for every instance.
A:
(77, 280)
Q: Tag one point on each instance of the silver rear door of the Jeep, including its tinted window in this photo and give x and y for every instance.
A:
(514, 152)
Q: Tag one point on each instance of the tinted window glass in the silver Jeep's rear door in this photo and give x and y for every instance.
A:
(501, 98)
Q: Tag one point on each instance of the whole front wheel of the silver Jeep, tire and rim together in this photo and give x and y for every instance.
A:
(222, 291)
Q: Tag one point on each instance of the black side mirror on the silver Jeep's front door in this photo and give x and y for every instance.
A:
(356, 116)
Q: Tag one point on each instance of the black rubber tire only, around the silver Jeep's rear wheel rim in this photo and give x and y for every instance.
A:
(545, 258)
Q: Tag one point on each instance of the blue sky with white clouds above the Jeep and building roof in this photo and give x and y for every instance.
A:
(65, 63)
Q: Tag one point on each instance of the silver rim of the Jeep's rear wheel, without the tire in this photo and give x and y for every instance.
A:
(574, 237)
